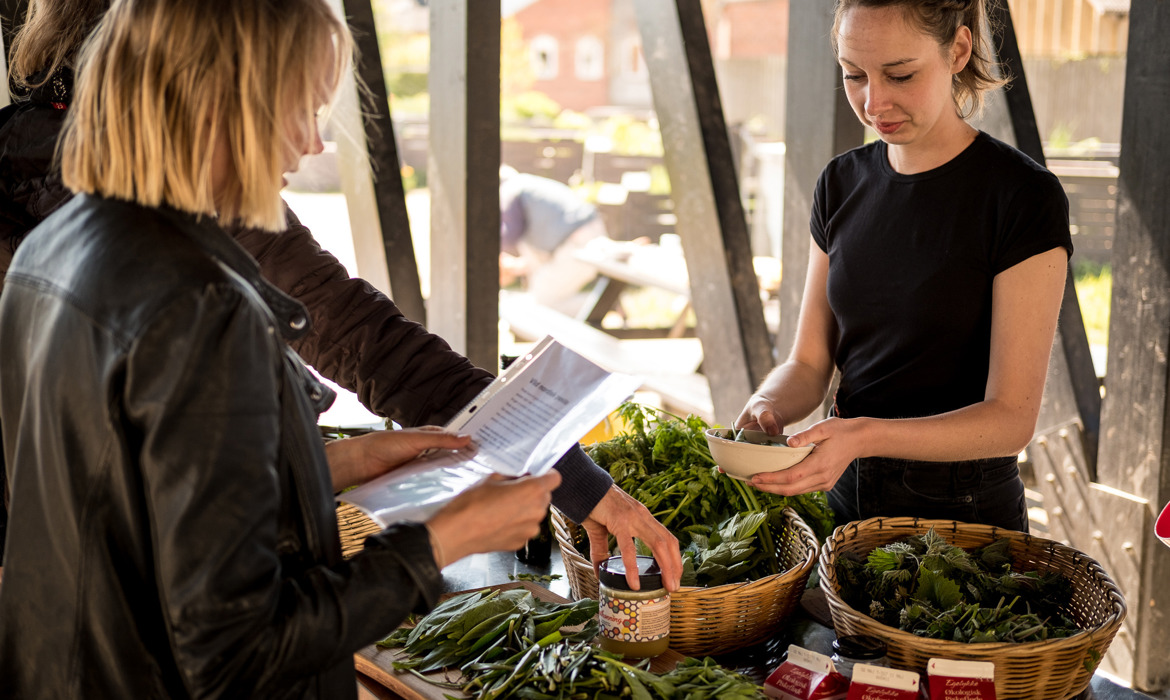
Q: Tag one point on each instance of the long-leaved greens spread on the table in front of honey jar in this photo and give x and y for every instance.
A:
(511, 644)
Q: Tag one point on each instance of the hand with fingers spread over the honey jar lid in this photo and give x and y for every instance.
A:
(625, 518)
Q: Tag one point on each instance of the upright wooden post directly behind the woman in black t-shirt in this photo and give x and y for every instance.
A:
(820, 125)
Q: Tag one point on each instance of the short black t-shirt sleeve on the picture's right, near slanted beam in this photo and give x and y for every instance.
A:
(1036, 221)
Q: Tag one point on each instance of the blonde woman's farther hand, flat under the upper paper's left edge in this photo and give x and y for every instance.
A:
(357, 461)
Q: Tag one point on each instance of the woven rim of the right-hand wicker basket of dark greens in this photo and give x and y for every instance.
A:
(1109, 627)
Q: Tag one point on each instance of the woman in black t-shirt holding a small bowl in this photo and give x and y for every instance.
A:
(934, 285)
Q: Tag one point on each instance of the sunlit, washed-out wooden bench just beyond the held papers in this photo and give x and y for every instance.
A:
(666, 366)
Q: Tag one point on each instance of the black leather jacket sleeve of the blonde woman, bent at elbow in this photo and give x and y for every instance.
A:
(243, 621)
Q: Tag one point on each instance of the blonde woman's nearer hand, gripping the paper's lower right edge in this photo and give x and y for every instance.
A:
(500, 514)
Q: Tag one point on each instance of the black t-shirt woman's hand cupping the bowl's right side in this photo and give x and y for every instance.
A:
(838, 443)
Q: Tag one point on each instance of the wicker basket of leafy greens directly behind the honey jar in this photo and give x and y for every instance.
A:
(718, 620)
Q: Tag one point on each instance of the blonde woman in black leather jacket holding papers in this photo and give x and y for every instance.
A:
(173, 530)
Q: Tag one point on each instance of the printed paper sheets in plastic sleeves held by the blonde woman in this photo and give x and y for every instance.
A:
(521, 424)
